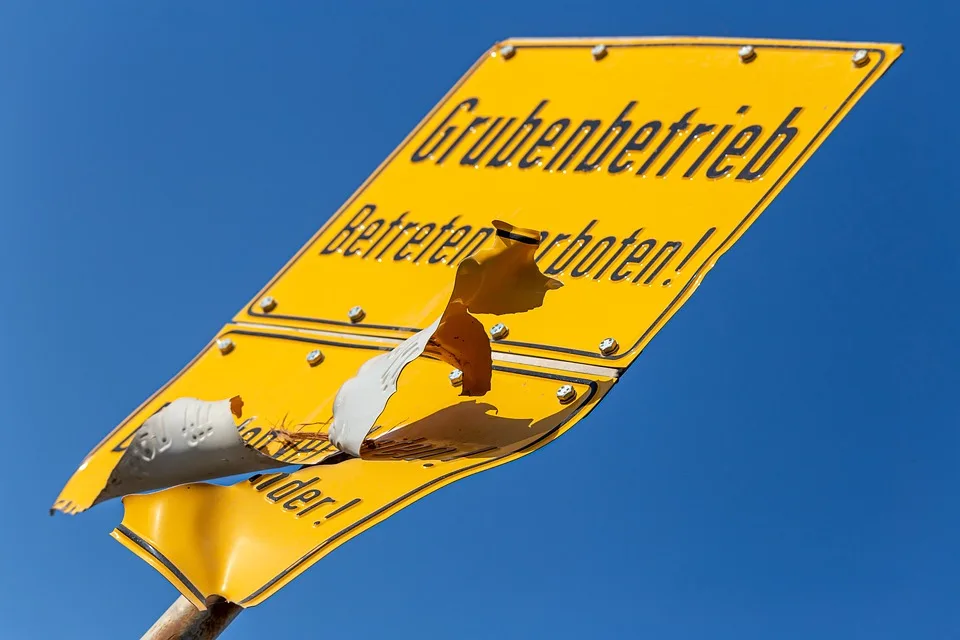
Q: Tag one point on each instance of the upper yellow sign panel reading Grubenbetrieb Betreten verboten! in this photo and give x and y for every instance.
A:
(641, 162)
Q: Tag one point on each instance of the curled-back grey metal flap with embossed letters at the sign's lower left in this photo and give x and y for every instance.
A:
(187, 440)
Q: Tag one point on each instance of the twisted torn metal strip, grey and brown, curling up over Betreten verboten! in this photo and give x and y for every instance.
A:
(502, 279)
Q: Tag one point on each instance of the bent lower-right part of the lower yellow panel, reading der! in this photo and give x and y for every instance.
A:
(244, 542)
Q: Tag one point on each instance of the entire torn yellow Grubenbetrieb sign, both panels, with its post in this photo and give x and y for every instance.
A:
(564, 358)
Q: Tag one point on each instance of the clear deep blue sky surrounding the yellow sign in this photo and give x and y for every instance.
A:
(796, 474)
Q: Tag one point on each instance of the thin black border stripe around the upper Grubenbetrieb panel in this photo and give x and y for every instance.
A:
(801, 157)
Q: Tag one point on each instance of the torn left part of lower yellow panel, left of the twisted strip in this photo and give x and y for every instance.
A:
(281, 391)
